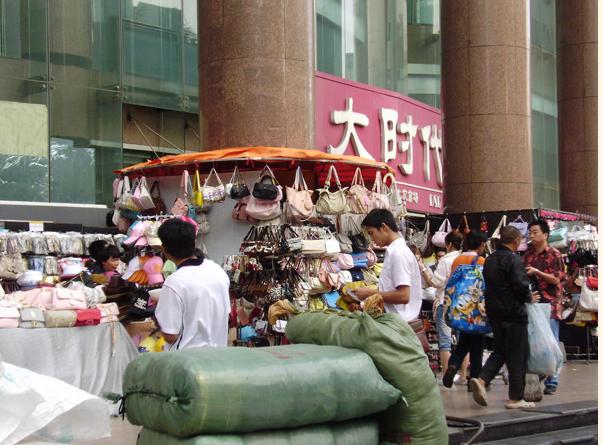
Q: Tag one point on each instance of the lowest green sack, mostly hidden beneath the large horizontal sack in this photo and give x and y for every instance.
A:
(355, 432)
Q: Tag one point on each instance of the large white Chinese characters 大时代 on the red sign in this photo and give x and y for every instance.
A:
(429, 136)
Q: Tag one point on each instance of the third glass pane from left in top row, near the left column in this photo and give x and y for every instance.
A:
(152, 51)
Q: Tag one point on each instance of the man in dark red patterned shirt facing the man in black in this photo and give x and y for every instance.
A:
(544, 263)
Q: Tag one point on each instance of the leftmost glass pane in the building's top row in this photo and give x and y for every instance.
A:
(23, 52)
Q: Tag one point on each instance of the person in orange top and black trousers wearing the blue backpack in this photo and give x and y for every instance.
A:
(472, 344)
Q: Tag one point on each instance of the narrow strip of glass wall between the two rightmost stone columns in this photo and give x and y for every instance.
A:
(543, 84)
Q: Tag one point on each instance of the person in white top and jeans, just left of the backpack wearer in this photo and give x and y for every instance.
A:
(438, 280)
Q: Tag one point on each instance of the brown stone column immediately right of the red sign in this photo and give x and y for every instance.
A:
(485, 105)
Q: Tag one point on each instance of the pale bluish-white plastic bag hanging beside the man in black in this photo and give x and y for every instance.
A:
(545, 356)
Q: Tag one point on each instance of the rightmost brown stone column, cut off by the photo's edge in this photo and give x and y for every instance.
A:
(577, 101)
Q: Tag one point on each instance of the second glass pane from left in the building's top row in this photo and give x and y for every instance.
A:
(84, 42)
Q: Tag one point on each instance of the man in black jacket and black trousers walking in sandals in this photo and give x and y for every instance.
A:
(507, 292)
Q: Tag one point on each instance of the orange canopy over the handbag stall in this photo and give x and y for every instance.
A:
(254, 158)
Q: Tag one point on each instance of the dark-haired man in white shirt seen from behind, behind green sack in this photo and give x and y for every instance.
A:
(194, 305)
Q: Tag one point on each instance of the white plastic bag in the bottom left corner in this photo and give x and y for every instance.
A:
(49, 409)
